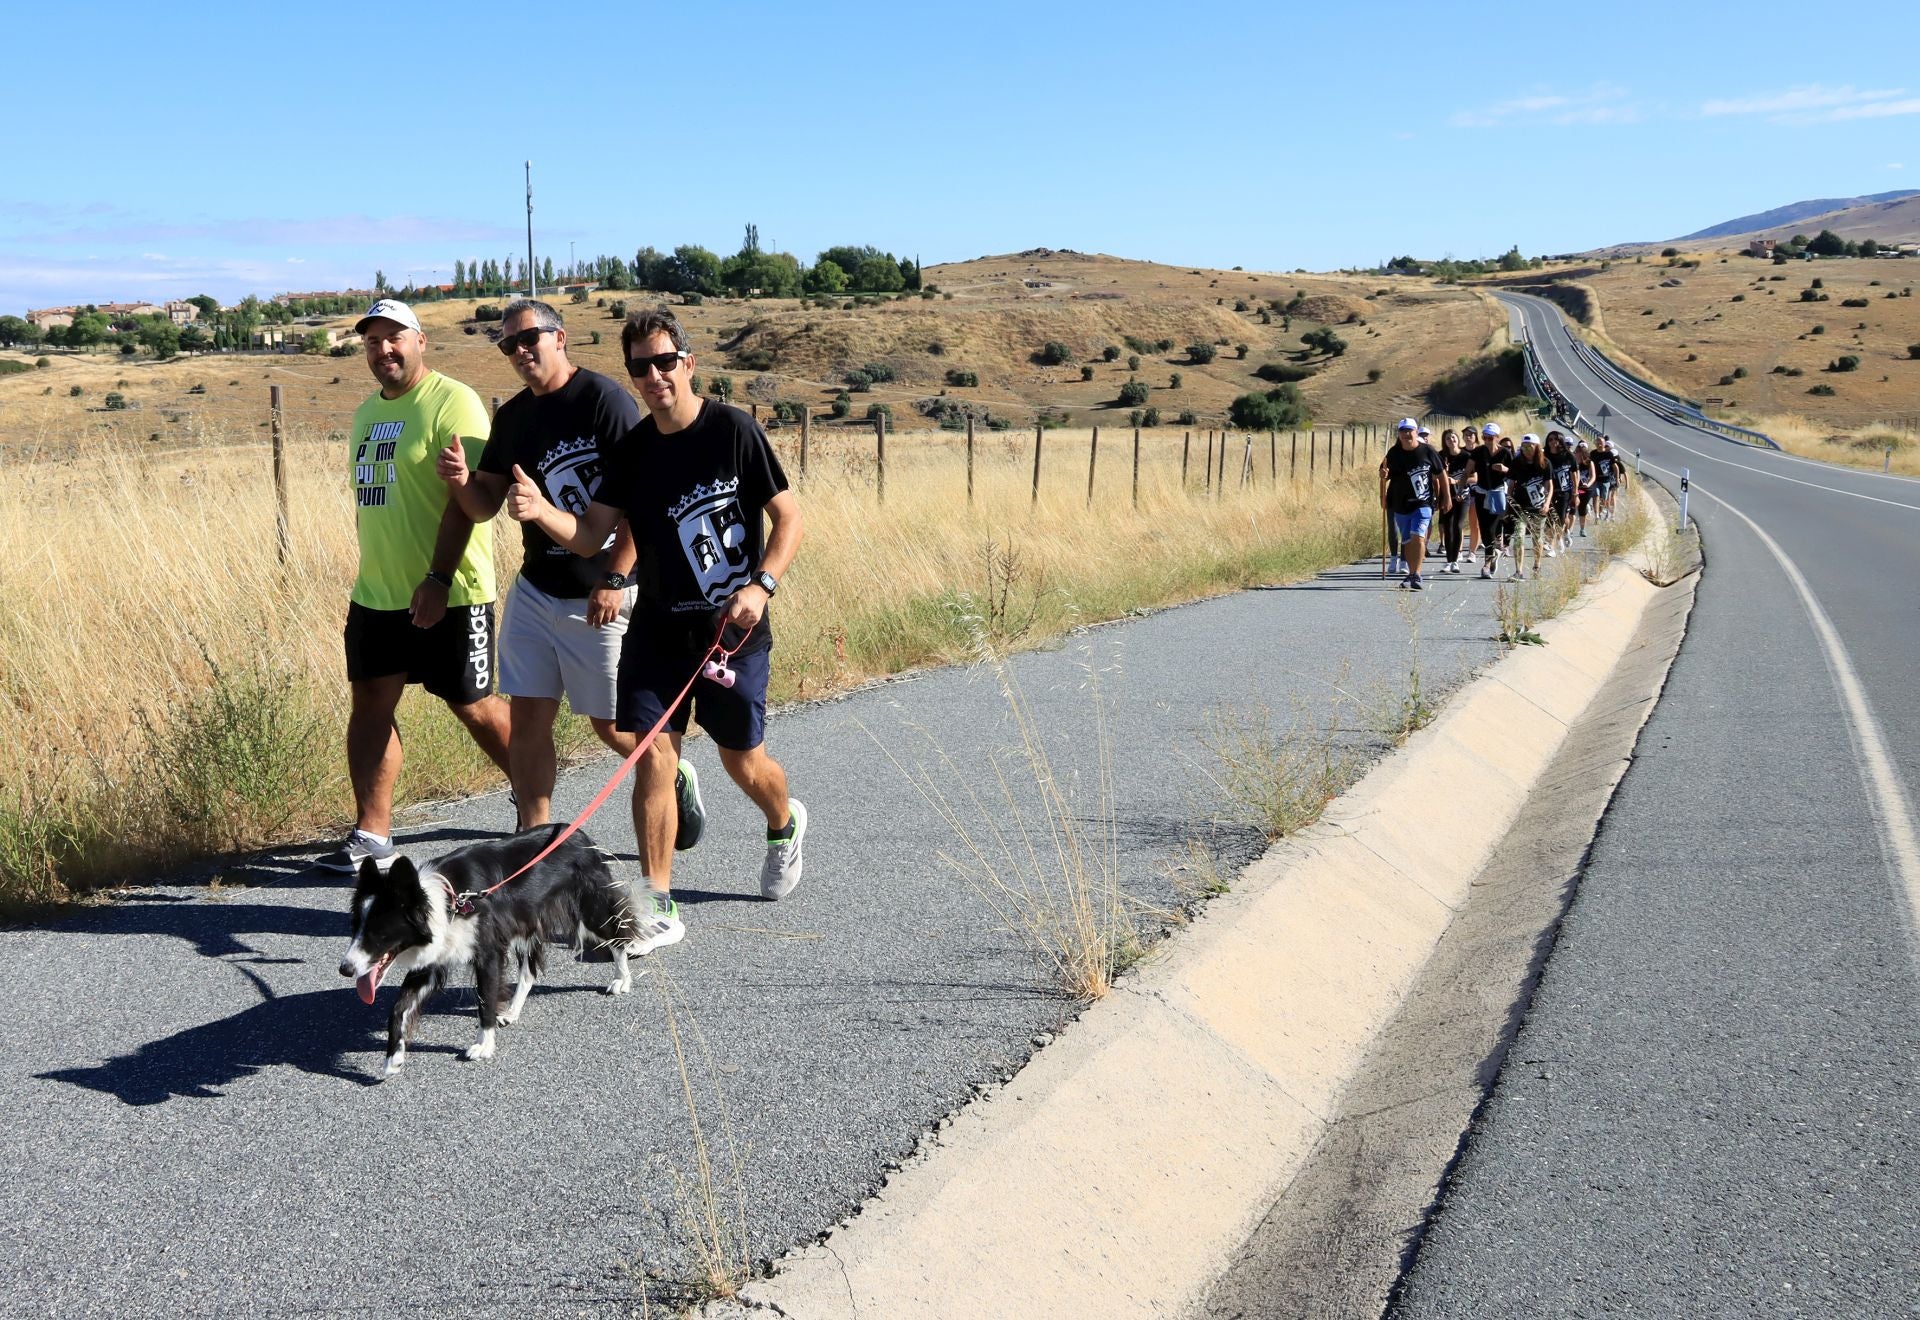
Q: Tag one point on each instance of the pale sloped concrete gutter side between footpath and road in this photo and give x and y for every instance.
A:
(1120, 1171)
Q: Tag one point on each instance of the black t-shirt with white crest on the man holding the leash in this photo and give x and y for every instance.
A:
(696, 502)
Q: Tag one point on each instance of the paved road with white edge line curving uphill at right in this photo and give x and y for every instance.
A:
(1714, 1106)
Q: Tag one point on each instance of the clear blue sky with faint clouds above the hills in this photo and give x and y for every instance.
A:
(231, 149)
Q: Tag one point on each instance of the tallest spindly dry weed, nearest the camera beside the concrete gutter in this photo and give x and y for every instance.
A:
(1045, 868)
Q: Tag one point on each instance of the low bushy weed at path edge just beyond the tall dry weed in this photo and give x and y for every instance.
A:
(1284, 780)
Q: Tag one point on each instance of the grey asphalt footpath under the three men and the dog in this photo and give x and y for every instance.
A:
(191, 1098)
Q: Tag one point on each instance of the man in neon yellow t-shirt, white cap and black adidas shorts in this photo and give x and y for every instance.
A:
(423, 601)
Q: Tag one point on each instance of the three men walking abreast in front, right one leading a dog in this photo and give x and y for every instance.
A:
(650, 536)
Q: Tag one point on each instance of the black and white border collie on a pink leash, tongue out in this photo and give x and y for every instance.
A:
(433, 922)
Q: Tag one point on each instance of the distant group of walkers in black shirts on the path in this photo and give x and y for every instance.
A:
(1493, 496)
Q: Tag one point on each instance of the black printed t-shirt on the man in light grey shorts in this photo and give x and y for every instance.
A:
(562, 442)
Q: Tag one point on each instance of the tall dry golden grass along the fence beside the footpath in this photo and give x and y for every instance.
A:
(172, 690)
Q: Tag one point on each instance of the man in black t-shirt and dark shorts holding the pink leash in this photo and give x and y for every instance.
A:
(694, 483)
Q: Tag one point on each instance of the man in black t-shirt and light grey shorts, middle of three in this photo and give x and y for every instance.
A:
(567, 615)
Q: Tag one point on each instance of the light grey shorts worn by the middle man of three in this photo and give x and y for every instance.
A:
(548, 649)
